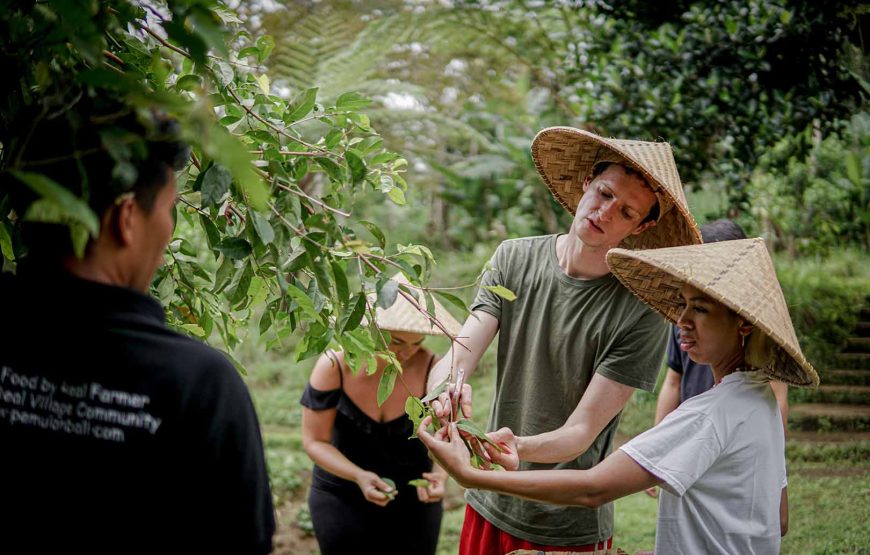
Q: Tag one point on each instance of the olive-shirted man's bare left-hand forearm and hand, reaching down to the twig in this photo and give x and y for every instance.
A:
(476, 335)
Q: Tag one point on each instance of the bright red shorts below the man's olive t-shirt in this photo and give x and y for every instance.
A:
(480, 537)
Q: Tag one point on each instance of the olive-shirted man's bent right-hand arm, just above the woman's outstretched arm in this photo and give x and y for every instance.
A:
(600, 404)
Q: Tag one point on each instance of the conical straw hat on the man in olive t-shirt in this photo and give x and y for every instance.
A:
(566, 156)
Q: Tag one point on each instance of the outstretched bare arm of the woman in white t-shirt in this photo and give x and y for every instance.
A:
(617, 476)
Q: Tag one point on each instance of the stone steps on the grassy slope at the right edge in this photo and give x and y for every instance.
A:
(834, 420)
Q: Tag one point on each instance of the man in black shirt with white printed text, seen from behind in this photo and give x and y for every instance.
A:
(119, 435)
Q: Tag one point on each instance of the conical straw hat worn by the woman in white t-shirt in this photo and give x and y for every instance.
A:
(739, 274)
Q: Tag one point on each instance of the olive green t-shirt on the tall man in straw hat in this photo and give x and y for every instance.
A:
(552, 339)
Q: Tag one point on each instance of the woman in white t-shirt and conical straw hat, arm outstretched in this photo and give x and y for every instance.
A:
(720, 457)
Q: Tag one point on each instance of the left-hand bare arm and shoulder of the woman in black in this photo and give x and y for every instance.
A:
(317, 428)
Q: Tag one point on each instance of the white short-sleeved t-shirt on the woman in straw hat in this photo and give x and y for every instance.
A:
(721, 457)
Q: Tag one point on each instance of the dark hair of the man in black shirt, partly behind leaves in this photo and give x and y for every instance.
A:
(99, 149)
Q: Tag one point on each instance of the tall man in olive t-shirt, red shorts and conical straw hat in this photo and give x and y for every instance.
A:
(575, 343)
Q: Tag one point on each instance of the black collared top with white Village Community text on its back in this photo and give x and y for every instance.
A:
(117, 434)
